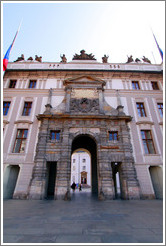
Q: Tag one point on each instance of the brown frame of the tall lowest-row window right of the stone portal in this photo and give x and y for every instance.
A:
(147, 141)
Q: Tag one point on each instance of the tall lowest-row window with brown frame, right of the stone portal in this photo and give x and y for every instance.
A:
(147, 142)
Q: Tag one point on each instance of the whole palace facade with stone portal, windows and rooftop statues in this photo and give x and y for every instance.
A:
(112, 111)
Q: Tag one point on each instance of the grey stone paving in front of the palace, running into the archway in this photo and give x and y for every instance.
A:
(84, 219)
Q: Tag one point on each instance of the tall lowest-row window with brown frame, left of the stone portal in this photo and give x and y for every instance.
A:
(19, 145)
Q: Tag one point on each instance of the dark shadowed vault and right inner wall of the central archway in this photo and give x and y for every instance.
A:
(88, 143)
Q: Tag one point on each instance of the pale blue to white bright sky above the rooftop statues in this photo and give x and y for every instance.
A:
(115, 28)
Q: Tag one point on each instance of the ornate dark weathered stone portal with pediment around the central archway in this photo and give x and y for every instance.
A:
(84, 120)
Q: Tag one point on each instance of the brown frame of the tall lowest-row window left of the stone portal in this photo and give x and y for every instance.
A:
(22, 140)
